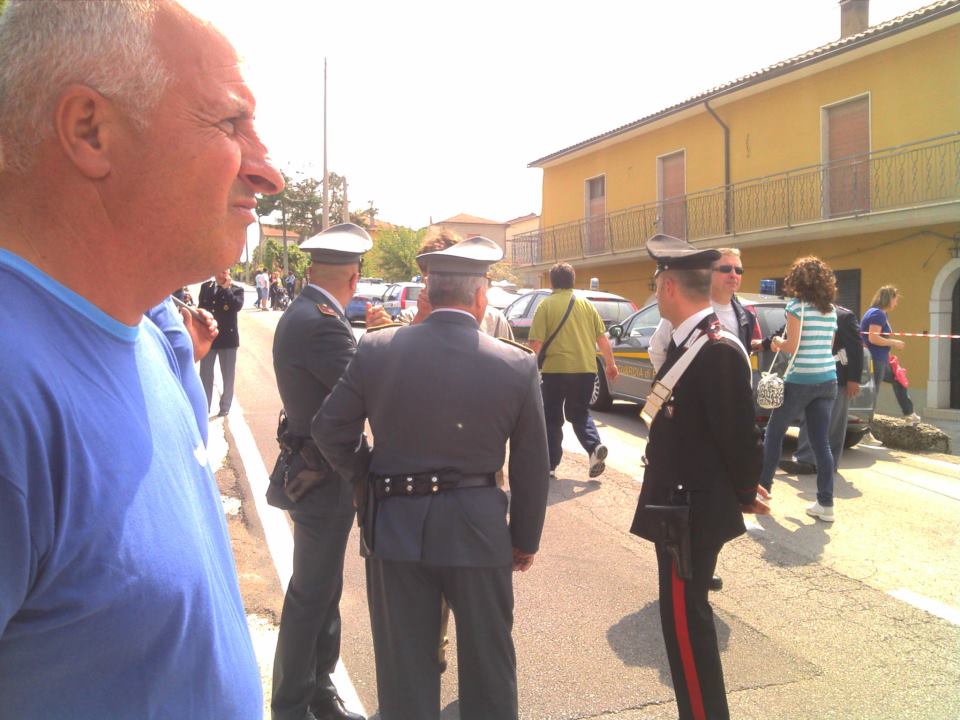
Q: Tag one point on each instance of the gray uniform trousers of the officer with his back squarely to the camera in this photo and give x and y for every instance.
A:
(404, 600)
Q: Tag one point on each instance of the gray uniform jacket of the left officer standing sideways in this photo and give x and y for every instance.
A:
(312, 347)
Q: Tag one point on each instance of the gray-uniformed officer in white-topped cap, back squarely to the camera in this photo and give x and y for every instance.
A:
(443, 399)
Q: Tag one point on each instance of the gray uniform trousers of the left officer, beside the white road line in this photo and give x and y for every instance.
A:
(308, 644)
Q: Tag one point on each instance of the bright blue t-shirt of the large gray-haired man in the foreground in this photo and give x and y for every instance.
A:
(118, 592)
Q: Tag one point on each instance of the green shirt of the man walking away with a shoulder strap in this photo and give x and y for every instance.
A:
(574, 349)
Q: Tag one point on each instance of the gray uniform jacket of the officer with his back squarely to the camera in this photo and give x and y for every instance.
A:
(442, 395)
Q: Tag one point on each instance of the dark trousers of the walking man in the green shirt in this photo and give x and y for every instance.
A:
(568, 395)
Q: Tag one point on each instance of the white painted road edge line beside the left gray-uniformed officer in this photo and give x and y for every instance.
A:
(277, 532)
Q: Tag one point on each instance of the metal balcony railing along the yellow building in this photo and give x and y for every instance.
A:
(912, 175)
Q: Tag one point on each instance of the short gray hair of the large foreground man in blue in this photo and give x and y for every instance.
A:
(46, 45)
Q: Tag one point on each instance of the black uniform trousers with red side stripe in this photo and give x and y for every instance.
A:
(691, 638)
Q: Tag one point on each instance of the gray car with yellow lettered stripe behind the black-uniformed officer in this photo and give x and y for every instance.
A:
(630, 341)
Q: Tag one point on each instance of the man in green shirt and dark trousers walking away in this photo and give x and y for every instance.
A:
(570, 366)
